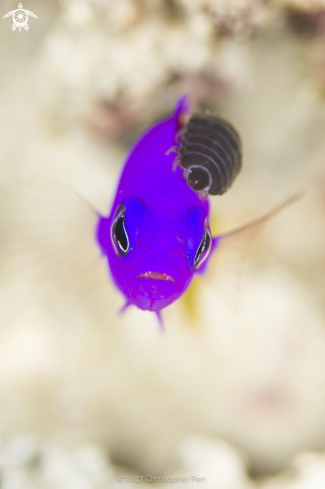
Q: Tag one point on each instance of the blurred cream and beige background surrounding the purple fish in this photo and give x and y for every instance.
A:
(234, 391)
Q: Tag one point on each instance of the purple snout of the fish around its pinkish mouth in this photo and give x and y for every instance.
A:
(153, 286)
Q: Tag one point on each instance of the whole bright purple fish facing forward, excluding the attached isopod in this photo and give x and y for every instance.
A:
(157, 233)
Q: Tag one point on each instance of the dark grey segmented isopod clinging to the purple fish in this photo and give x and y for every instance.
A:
(211, 154)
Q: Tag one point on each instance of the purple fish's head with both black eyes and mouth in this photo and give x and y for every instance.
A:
(153, 254)
